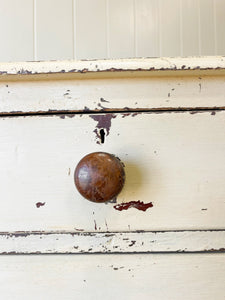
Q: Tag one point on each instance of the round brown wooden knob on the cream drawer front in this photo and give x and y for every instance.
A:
(99, 176)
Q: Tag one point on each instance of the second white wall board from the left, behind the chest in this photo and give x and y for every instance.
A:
(54, 29)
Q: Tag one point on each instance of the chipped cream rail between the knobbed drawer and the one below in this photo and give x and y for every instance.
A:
(128, 242)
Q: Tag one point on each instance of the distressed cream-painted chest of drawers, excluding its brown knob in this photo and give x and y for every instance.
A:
(165, 120)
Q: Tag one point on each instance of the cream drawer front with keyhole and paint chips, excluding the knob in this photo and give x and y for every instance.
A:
(175, 160)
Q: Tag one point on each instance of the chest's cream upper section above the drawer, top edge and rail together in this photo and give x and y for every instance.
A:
(72, 91)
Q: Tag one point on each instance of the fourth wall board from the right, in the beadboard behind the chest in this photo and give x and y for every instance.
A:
(170, 27)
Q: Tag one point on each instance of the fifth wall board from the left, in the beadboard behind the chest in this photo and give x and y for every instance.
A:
(147, 28)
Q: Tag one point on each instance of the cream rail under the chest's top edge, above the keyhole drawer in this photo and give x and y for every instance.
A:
(112, 94)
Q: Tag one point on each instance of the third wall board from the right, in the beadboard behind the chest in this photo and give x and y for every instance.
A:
(190, 27)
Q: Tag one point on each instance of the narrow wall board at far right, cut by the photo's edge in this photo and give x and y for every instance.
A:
(220, 26)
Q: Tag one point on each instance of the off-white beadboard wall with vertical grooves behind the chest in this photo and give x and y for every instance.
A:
(98, 29)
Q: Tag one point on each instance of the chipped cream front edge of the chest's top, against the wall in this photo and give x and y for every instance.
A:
(136, 64)
